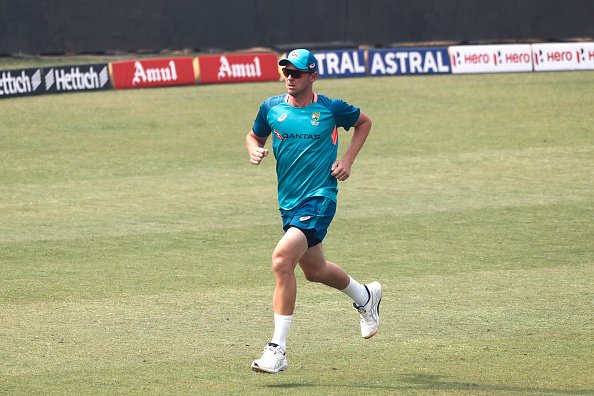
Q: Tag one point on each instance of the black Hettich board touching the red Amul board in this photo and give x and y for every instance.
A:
(76, 78)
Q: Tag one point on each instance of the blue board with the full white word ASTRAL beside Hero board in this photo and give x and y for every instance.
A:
(394, 62)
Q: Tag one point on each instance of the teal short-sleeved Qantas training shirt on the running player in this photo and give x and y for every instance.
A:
(305, 145)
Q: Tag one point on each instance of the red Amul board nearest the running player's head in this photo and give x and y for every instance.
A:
(213, 69)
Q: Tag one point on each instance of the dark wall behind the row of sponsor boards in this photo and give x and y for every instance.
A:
(63, 26)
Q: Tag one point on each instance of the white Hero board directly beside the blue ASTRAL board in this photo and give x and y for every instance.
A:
(491, 58)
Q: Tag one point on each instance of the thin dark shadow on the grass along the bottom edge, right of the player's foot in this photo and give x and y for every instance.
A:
(435, 383)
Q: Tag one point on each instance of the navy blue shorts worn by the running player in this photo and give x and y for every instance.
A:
(312, 216)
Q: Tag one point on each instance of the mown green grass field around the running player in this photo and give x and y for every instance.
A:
(135, 242)
